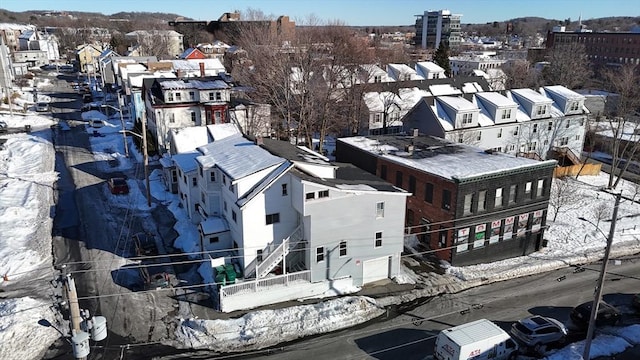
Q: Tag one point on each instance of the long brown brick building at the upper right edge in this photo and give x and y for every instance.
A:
(602, 48)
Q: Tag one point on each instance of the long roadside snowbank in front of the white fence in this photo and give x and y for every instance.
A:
(258, 329)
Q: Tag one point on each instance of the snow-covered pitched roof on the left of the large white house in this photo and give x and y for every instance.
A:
(237, 156)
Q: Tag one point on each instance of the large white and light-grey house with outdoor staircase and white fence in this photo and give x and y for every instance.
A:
(275, 212)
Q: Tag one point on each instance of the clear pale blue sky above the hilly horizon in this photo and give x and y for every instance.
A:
(352, 12)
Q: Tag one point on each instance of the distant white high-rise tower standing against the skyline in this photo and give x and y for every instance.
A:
(435, 26)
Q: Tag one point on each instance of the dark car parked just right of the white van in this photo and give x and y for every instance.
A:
(536, 331)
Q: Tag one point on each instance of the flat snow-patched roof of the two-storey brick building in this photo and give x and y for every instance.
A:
(441, 157)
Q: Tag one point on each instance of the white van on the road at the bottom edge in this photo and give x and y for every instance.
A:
(478, 340)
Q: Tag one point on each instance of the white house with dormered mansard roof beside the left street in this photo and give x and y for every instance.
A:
(176, 103)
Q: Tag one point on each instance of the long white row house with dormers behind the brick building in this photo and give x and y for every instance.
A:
(522, 122)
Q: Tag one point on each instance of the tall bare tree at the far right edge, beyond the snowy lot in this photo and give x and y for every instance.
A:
(623, 119)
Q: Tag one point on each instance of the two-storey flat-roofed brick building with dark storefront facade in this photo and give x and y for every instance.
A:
(467, 205)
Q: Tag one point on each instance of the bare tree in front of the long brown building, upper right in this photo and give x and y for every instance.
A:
(568, 66)
